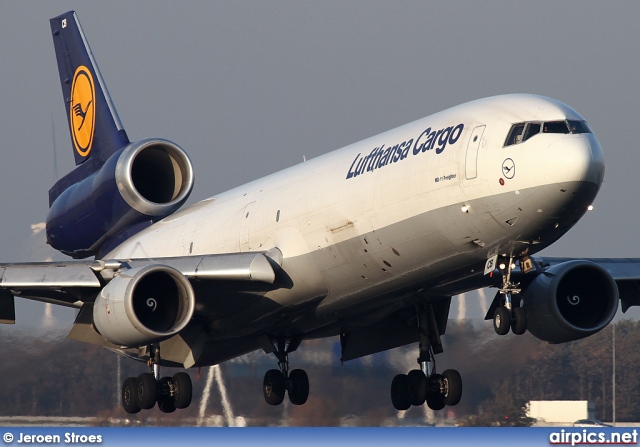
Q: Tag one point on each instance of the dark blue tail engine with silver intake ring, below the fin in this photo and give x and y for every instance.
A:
(143, 182)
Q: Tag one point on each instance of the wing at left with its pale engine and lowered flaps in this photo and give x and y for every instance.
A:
(123, 303)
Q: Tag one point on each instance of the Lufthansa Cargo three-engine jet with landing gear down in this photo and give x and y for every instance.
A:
(367, 243)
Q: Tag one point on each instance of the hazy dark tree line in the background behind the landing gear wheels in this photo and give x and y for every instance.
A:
(59, 377)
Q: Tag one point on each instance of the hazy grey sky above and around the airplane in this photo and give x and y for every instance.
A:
(250, 87)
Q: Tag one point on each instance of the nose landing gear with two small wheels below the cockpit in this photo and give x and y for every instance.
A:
(509, 314)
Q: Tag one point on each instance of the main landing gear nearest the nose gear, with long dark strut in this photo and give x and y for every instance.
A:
(424, 384)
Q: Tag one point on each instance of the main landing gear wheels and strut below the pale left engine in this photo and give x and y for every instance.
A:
(142, 392)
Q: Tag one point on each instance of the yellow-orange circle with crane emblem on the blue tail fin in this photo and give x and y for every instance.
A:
(82, 114)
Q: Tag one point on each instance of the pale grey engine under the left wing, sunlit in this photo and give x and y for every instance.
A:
(144, 305)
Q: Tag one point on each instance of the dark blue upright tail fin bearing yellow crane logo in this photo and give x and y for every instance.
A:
(96, 130)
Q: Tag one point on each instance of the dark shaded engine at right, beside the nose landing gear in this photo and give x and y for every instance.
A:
(570, 301)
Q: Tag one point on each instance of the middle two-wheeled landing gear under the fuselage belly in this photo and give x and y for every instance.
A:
(278, 381)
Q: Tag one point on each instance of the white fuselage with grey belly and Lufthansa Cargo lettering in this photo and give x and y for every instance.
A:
(400, 211)
